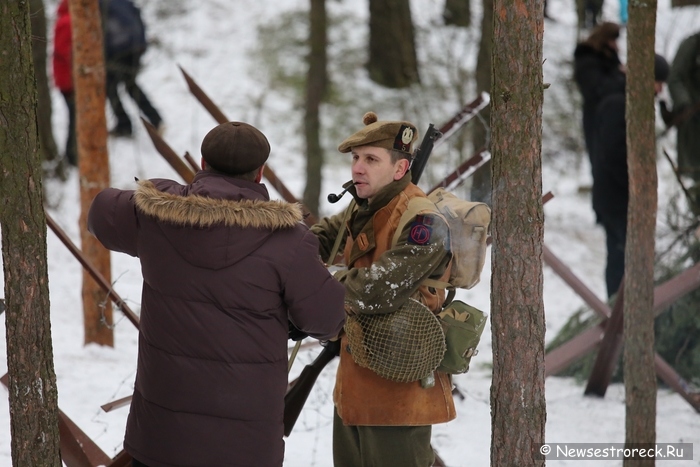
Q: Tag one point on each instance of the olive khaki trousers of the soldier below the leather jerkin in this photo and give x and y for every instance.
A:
(381, 446)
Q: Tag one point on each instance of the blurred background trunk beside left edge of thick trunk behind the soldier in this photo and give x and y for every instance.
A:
(481, 180)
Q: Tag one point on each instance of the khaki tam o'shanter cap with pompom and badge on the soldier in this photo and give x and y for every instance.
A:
(383, 134)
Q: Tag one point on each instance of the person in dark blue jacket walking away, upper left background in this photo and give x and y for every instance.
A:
(125, 44)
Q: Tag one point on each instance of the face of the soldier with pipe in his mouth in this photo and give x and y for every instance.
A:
(372, 170)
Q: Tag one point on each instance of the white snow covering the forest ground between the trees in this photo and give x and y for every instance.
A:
(213, 41)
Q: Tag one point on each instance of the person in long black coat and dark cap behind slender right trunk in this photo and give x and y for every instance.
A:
(610, 177)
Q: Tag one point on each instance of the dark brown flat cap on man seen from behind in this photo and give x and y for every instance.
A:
(235, 148)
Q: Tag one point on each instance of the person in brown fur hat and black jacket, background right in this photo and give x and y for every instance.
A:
(598, 72)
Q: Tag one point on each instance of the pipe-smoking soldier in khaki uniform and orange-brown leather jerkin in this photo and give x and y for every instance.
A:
(379, 422)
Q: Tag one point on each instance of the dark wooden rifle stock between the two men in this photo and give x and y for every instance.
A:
(299, 391)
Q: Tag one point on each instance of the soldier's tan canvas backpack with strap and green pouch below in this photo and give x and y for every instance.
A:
(468, 224)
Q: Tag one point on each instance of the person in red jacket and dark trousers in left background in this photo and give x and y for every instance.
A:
(63, 75)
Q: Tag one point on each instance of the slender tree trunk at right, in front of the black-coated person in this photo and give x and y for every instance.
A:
(639, 372)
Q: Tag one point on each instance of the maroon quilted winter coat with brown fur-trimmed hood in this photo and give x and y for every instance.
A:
(224, 269)
